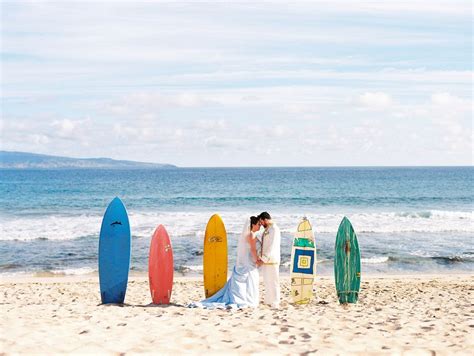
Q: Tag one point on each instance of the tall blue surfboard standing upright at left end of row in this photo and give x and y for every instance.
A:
(114, 253)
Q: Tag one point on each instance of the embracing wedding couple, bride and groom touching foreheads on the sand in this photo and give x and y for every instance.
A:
(254, 252)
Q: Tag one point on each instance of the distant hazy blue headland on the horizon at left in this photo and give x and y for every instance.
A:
(25, 160)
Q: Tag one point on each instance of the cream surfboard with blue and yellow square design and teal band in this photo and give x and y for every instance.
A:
(303, 263)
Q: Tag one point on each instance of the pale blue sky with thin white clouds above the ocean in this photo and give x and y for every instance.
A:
(322, 83)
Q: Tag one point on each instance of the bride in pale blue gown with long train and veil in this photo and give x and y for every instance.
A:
(241, 290)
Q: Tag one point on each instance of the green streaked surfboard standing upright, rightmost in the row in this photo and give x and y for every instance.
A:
(347, 263)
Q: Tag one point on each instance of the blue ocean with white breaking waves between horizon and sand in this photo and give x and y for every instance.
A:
(407, 219)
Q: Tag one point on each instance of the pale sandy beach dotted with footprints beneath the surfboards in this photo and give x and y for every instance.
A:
(395, 315)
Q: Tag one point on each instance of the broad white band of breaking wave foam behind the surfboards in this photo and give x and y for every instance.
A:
(193, 224)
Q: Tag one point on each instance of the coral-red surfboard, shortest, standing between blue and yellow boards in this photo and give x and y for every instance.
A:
(160, 266)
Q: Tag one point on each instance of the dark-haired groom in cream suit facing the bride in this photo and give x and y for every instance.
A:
(269, 259)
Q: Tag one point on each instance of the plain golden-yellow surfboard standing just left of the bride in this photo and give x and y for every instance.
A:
(215, 256)
